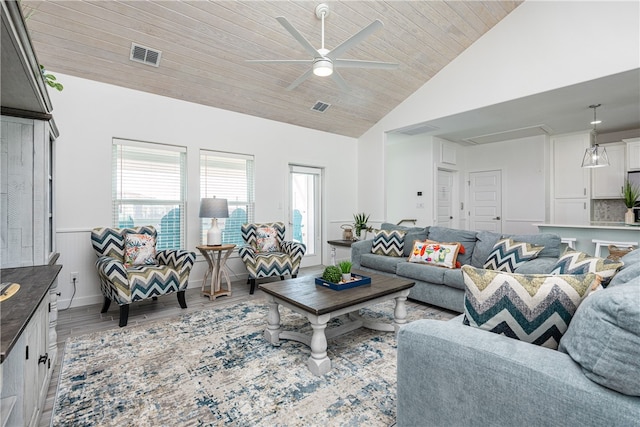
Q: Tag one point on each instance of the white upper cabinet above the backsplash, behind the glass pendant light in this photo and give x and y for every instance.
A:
(607, 182)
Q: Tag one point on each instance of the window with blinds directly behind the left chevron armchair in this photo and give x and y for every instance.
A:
(149, 189)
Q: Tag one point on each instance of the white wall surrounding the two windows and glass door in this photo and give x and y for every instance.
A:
(90, 114)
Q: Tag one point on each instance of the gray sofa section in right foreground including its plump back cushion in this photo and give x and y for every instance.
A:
(450, 374)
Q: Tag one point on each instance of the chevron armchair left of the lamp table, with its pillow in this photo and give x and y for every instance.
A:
(130, 269)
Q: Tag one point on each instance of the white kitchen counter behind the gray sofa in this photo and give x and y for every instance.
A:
(585, 234)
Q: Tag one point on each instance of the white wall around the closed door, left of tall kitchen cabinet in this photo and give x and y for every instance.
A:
(524, 173)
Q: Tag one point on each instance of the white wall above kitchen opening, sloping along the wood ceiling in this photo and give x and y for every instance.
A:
(540, 46)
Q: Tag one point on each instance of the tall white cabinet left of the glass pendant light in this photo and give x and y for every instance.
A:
(571, 186)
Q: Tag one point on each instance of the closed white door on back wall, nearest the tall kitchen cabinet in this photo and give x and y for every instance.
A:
(485, 201)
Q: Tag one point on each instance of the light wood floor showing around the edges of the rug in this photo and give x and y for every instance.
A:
(87, 319)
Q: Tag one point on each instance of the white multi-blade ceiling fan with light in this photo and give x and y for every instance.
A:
(324, 61)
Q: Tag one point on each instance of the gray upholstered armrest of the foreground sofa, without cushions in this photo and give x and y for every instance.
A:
(452, 374)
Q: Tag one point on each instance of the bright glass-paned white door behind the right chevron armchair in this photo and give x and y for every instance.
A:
(304, 213)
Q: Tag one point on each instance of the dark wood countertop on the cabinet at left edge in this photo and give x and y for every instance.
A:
(16, 312)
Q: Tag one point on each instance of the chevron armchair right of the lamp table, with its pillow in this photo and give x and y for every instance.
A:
(266, 253)
